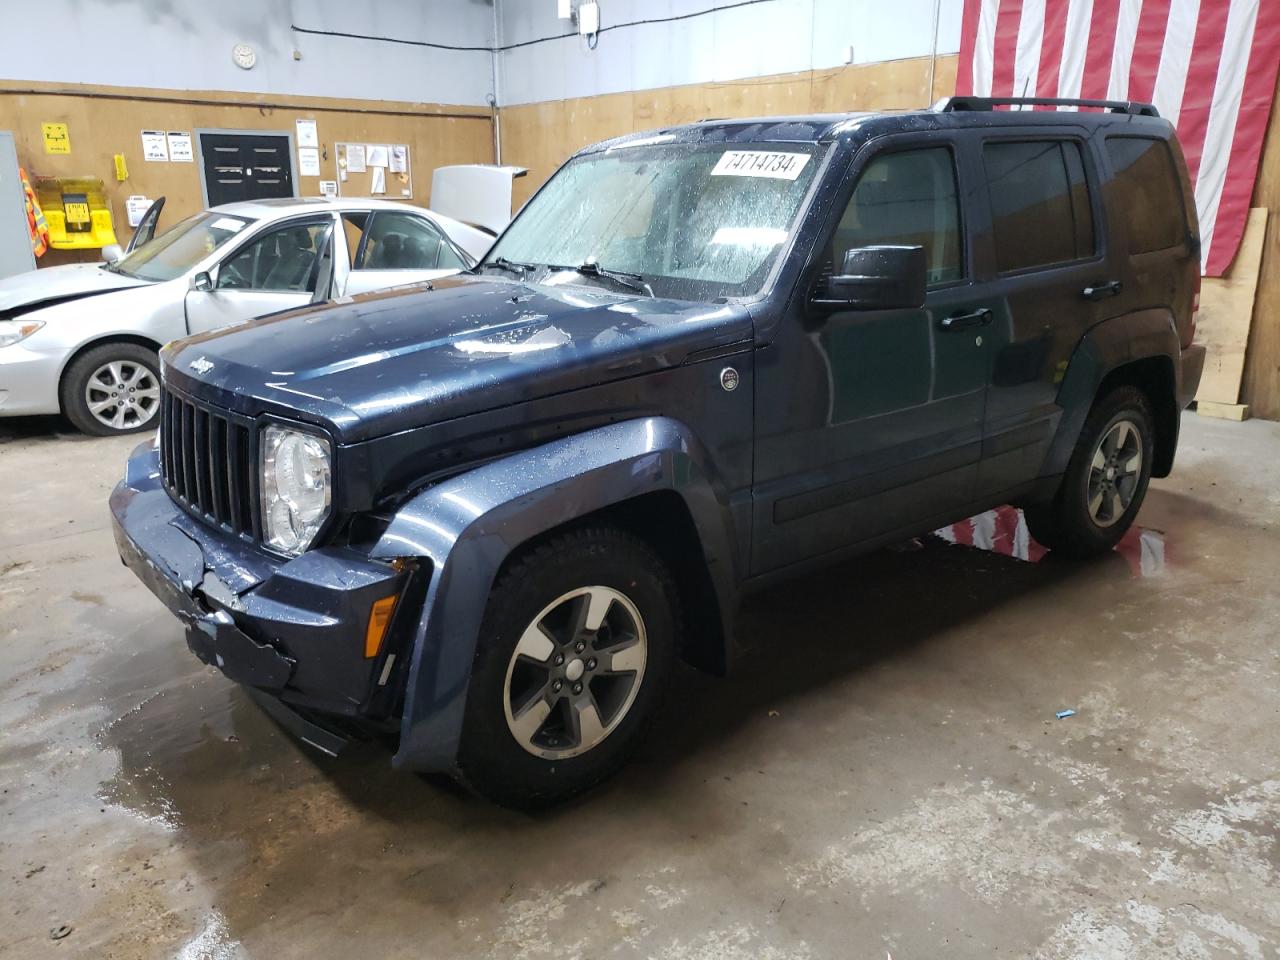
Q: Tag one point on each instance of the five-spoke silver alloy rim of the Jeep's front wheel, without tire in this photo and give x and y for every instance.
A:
(575, 673)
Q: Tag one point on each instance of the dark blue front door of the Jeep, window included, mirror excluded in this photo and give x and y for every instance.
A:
(871, 422)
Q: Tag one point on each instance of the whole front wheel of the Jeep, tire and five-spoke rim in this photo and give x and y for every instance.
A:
(574, 659)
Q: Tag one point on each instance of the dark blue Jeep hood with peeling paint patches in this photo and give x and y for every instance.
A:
(397, 360)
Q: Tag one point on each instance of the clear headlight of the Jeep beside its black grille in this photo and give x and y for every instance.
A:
(296, 488)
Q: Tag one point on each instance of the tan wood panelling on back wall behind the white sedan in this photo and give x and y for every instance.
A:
(108, 121)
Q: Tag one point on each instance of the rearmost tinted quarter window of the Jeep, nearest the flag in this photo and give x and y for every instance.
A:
(1146, 193)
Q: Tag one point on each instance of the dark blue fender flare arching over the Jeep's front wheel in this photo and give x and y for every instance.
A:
(468, 527)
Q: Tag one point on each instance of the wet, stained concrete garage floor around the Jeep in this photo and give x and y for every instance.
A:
(885, 774)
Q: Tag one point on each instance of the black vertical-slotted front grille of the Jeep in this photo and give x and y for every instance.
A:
(207, 463)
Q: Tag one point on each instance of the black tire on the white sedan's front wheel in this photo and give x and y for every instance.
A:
(138, 414)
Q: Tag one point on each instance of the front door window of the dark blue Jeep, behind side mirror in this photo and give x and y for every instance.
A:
(911, 199)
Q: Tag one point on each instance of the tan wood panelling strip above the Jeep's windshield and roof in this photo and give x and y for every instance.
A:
(542, 136)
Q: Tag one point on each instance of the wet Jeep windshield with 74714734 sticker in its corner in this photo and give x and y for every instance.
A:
(692, 222)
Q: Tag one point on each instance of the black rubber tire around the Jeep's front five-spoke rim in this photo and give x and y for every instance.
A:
(492, 761)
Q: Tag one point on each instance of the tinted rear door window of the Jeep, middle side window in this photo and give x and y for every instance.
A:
(1040, 203)
